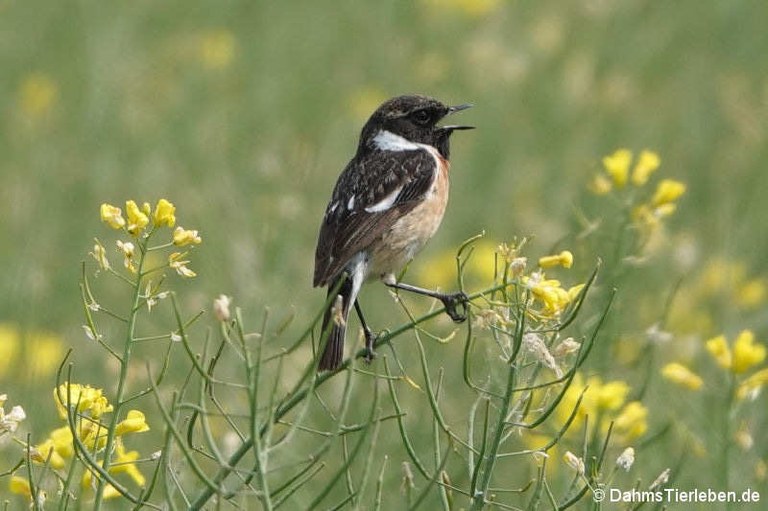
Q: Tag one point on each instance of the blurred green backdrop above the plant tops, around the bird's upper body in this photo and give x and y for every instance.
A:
(243, 114)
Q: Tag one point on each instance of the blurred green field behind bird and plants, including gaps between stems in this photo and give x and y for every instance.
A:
(243, 116)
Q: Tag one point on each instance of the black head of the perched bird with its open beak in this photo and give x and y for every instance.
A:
(414, 118)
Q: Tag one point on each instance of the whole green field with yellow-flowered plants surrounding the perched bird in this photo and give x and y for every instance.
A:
(245, 115)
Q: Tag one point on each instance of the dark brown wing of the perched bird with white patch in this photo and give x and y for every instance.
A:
(372, 193)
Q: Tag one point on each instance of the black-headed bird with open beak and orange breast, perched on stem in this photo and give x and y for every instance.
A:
(387, 203)
